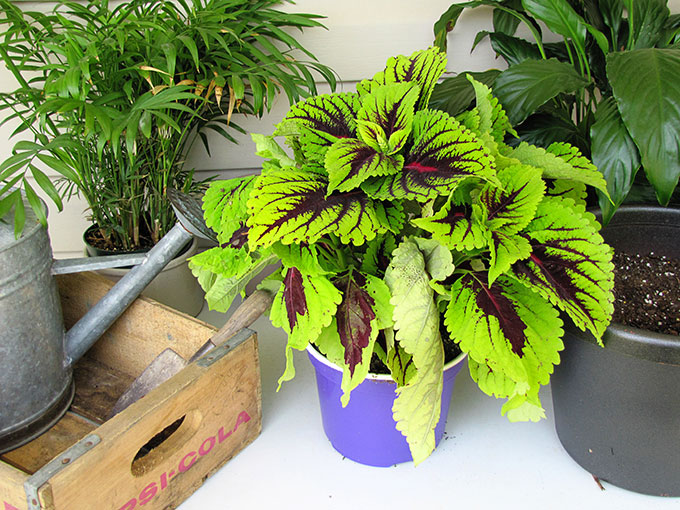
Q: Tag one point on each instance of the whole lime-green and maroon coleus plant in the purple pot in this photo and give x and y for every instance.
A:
(390, 219)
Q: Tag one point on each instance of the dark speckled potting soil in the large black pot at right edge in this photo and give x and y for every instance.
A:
(647, 292)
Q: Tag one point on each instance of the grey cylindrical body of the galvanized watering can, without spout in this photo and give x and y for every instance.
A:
(35, 383)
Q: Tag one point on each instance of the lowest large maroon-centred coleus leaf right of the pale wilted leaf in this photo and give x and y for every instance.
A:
(515, 334)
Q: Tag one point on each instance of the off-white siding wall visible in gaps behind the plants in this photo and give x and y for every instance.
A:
(361, 35)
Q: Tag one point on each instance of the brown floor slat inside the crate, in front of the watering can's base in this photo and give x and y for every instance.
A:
(34, 455)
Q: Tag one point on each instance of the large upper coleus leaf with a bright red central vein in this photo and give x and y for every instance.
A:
(442, 155)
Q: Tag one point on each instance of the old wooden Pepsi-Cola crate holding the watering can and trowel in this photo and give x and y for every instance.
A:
(158, 451)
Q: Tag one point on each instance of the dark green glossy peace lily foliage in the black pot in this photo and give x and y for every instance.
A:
(607, 83)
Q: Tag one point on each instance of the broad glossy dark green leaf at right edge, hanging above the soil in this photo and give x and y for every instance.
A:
(650, 108)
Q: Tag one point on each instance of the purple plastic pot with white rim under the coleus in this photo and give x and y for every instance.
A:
(365, 431)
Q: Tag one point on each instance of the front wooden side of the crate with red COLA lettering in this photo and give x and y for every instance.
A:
(210, 398)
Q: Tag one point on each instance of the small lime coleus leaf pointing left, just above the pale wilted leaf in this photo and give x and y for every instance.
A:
(455, 227)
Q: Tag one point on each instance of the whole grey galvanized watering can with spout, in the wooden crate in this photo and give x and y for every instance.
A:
(36, 355)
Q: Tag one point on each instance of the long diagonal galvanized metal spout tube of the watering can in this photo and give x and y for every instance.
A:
(98, 319)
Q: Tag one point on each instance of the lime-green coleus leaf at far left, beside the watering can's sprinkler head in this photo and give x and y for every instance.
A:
(225, 210)
